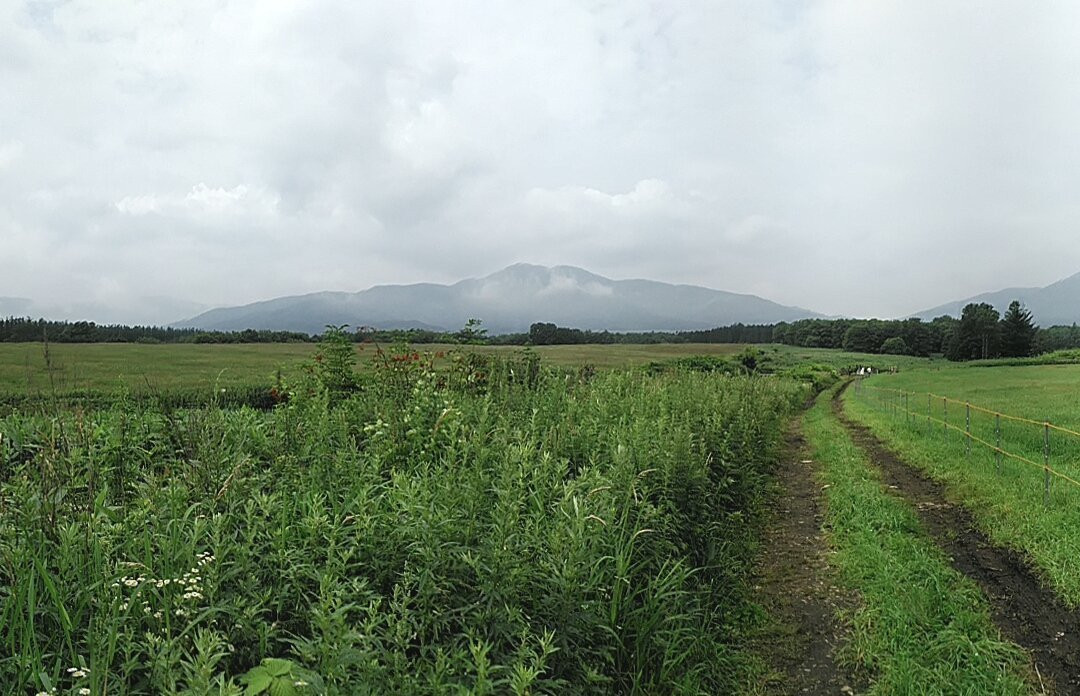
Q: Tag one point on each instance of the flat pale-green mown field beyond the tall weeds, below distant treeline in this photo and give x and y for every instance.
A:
(109, 367)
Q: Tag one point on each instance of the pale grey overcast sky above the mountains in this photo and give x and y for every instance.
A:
(857, 158)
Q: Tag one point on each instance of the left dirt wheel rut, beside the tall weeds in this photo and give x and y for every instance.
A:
(796, 586)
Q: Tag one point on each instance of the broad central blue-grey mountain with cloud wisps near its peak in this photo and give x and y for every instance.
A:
(509, 302)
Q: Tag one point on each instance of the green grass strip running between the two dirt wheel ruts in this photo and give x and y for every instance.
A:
(922, 627)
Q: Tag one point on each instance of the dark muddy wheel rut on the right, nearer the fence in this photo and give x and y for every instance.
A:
(1024, 610)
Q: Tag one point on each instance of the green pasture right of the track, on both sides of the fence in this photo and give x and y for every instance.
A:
(1007, 498)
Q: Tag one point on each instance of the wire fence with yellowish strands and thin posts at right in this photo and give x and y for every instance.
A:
(1039, 445)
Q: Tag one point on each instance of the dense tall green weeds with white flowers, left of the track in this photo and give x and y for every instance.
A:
(488, 527)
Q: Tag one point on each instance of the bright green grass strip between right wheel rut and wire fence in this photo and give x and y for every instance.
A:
(1008, 505)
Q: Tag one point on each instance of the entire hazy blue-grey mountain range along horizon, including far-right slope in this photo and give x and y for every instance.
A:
(509, 302)
